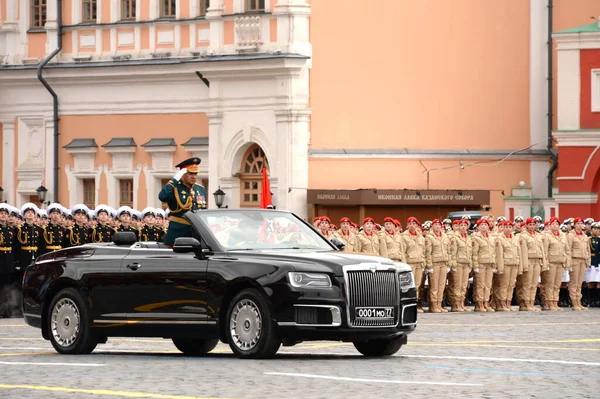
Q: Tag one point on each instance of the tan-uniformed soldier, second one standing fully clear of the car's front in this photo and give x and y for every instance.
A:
(461, 262)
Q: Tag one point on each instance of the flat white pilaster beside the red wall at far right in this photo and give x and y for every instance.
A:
(568, 81)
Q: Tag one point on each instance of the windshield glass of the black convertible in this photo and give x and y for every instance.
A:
(261, 229)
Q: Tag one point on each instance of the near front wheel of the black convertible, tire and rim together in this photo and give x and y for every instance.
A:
(250, 329)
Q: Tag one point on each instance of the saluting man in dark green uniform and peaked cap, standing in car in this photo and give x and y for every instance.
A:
(182, 194)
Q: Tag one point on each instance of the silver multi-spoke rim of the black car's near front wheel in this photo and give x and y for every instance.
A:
(245, 325)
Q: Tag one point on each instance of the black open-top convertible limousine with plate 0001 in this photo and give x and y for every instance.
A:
(254, 278)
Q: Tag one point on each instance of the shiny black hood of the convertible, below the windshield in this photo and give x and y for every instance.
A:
(323, 262)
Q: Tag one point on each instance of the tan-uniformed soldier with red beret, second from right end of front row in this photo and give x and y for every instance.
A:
(559, 259)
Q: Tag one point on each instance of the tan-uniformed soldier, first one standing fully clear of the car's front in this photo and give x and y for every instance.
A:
(437, 248)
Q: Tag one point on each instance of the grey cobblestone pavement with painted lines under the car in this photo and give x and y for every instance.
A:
(516, 354)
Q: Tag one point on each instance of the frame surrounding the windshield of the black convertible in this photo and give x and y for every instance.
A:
(197, 218)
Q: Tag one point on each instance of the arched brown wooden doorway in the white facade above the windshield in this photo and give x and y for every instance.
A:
(251, 176)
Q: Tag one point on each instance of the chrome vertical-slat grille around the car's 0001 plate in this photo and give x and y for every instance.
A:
(368, 289)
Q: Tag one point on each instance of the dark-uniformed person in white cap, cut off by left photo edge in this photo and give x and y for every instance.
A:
(7, 260)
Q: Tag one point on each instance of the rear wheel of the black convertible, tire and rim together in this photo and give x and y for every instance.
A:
(69, 324)
